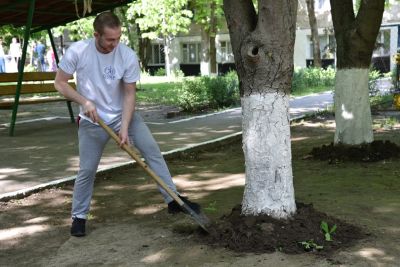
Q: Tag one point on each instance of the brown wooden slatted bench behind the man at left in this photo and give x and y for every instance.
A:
(36, 88)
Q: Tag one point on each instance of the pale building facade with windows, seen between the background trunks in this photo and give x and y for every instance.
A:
(186, 48)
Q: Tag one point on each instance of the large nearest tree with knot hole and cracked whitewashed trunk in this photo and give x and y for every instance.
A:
(263, 46)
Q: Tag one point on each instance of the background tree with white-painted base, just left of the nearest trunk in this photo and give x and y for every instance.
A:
(209, 15)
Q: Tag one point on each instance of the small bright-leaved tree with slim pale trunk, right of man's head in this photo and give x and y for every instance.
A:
(161, 18)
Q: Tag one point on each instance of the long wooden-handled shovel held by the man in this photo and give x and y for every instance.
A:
(201, 219)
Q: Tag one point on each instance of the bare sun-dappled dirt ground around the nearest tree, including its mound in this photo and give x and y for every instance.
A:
(128, 224)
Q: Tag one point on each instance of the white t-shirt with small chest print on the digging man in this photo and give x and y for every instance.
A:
(100, 77)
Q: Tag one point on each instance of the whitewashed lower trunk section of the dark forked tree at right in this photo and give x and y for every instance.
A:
(352, 107)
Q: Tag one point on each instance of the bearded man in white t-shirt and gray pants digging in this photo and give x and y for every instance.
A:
(106, 76)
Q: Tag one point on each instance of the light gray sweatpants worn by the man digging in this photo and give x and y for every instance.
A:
(92, 140)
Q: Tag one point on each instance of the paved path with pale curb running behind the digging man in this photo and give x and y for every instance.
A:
(45, 151)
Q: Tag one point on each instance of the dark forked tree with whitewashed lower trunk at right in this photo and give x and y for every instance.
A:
(355, 38)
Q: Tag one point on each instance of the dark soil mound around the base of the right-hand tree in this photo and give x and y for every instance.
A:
(371, 152)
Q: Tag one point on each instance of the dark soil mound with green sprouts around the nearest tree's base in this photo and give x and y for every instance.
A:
(263, 234)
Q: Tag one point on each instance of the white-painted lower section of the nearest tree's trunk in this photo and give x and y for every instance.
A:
(266, 145)
